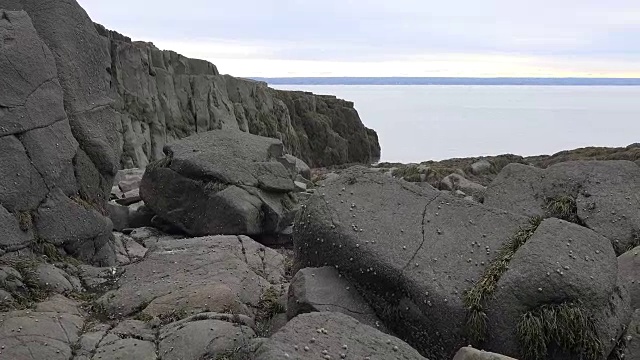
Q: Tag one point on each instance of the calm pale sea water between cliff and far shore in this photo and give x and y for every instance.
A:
(418, 123)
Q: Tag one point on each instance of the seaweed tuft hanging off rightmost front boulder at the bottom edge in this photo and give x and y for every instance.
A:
(568, 326)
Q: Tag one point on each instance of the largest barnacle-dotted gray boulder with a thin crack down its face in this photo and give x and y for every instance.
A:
(410, 251)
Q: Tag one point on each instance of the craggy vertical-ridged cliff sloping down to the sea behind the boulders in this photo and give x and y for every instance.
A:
(166, 96)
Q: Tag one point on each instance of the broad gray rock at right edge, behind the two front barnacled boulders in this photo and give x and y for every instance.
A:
(602, 195)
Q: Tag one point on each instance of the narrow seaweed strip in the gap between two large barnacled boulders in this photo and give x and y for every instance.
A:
(474, 298)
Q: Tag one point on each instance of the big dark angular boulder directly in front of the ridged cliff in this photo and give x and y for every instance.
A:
(222, 182)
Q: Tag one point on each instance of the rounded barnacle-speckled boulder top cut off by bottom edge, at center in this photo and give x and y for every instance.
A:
(332, 336)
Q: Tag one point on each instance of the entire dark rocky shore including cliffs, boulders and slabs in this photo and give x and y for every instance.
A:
(155, 209)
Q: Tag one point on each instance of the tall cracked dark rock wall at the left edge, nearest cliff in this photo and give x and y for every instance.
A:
(41, 186)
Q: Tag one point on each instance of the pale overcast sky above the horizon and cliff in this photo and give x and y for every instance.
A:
(598, 38)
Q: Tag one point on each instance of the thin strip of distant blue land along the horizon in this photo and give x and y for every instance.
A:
(449, 81)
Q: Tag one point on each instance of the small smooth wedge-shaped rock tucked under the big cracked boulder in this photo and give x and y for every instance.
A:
(324, 290)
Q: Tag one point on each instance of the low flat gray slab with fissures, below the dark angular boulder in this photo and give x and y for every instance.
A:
(187, 276)
